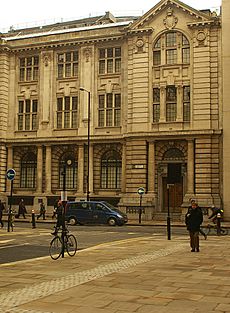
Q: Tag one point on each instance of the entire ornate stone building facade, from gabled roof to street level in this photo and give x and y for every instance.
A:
(153, 87)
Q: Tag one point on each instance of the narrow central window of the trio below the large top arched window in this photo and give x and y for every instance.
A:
(171, 103)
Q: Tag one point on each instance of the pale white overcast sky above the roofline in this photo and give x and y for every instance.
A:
(25, 13)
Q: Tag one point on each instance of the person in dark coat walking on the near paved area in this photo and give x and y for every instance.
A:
(193, 220)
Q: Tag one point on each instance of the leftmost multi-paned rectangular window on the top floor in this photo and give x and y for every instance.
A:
(28, 68)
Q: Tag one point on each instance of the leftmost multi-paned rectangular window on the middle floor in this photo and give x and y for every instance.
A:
(27, 114)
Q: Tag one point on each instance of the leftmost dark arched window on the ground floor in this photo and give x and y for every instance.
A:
(28, 170)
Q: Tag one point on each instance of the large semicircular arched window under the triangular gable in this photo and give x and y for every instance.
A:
(176, 49)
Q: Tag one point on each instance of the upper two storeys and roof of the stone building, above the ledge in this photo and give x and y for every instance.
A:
(155, 74)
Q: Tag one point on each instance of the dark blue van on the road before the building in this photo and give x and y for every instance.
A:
(94, 212)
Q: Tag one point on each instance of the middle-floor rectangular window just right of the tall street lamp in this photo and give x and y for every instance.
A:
(109, 110)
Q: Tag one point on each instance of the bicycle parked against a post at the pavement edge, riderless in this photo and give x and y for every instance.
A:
(58, 247)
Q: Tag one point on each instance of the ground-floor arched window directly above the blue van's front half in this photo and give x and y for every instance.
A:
(111, 170)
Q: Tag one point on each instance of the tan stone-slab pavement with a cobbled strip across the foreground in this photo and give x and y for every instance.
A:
(143, 275)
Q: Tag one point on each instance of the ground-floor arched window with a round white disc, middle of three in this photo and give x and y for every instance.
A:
(68, 168)
